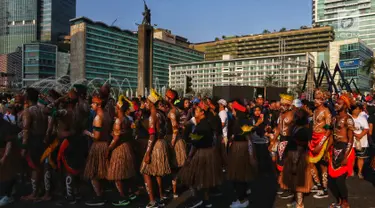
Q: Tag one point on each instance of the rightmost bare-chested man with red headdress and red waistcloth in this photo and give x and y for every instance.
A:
(342, 154)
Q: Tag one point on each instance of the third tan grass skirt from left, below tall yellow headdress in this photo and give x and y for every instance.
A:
(159, 165)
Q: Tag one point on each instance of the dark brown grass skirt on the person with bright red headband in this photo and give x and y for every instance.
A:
(240, 168)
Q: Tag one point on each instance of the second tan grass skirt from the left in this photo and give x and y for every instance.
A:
(121, 166)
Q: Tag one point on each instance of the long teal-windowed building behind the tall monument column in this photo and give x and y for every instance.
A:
(103, 52)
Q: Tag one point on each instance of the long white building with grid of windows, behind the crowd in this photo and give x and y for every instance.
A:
(286, 72)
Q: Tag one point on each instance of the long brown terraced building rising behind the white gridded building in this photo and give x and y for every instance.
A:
(315, 39)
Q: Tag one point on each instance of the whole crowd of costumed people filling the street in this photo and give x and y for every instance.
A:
(195, 142)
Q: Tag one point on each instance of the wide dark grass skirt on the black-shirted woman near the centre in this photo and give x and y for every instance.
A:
(203, 171)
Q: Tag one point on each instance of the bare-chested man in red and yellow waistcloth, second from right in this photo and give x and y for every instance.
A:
(318, 145)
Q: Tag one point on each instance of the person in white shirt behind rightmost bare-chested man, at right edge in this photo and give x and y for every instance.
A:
(360, 135)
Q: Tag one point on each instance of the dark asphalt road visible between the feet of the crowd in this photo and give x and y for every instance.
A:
(361, 194)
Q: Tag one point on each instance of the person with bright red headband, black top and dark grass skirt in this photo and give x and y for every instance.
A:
(241, 158)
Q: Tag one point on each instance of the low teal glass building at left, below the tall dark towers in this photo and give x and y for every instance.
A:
(39, 62)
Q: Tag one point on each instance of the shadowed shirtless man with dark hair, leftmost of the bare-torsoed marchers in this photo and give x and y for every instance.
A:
(34, 129)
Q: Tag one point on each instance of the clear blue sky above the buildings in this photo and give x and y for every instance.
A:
(202, 20)
